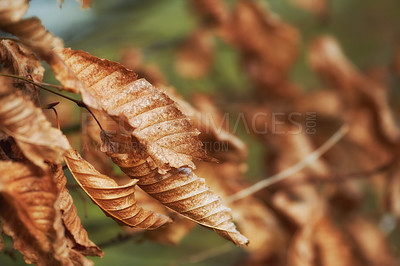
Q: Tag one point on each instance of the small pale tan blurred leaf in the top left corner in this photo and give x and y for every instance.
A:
(12, 11)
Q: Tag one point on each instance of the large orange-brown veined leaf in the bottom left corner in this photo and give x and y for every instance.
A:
(28, 209)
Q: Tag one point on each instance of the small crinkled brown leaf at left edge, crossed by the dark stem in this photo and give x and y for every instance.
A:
(20, 61)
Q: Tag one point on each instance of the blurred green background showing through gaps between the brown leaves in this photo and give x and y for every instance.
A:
(368, 31)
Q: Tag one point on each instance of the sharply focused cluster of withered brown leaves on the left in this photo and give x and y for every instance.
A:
(145, 132)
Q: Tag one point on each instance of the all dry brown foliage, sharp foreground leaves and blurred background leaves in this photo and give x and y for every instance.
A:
(172, 176)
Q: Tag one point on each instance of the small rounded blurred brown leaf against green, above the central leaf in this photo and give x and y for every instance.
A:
(196, 54)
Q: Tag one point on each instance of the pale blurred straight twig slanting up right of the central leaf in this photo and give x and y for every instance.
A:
(312, 157)
